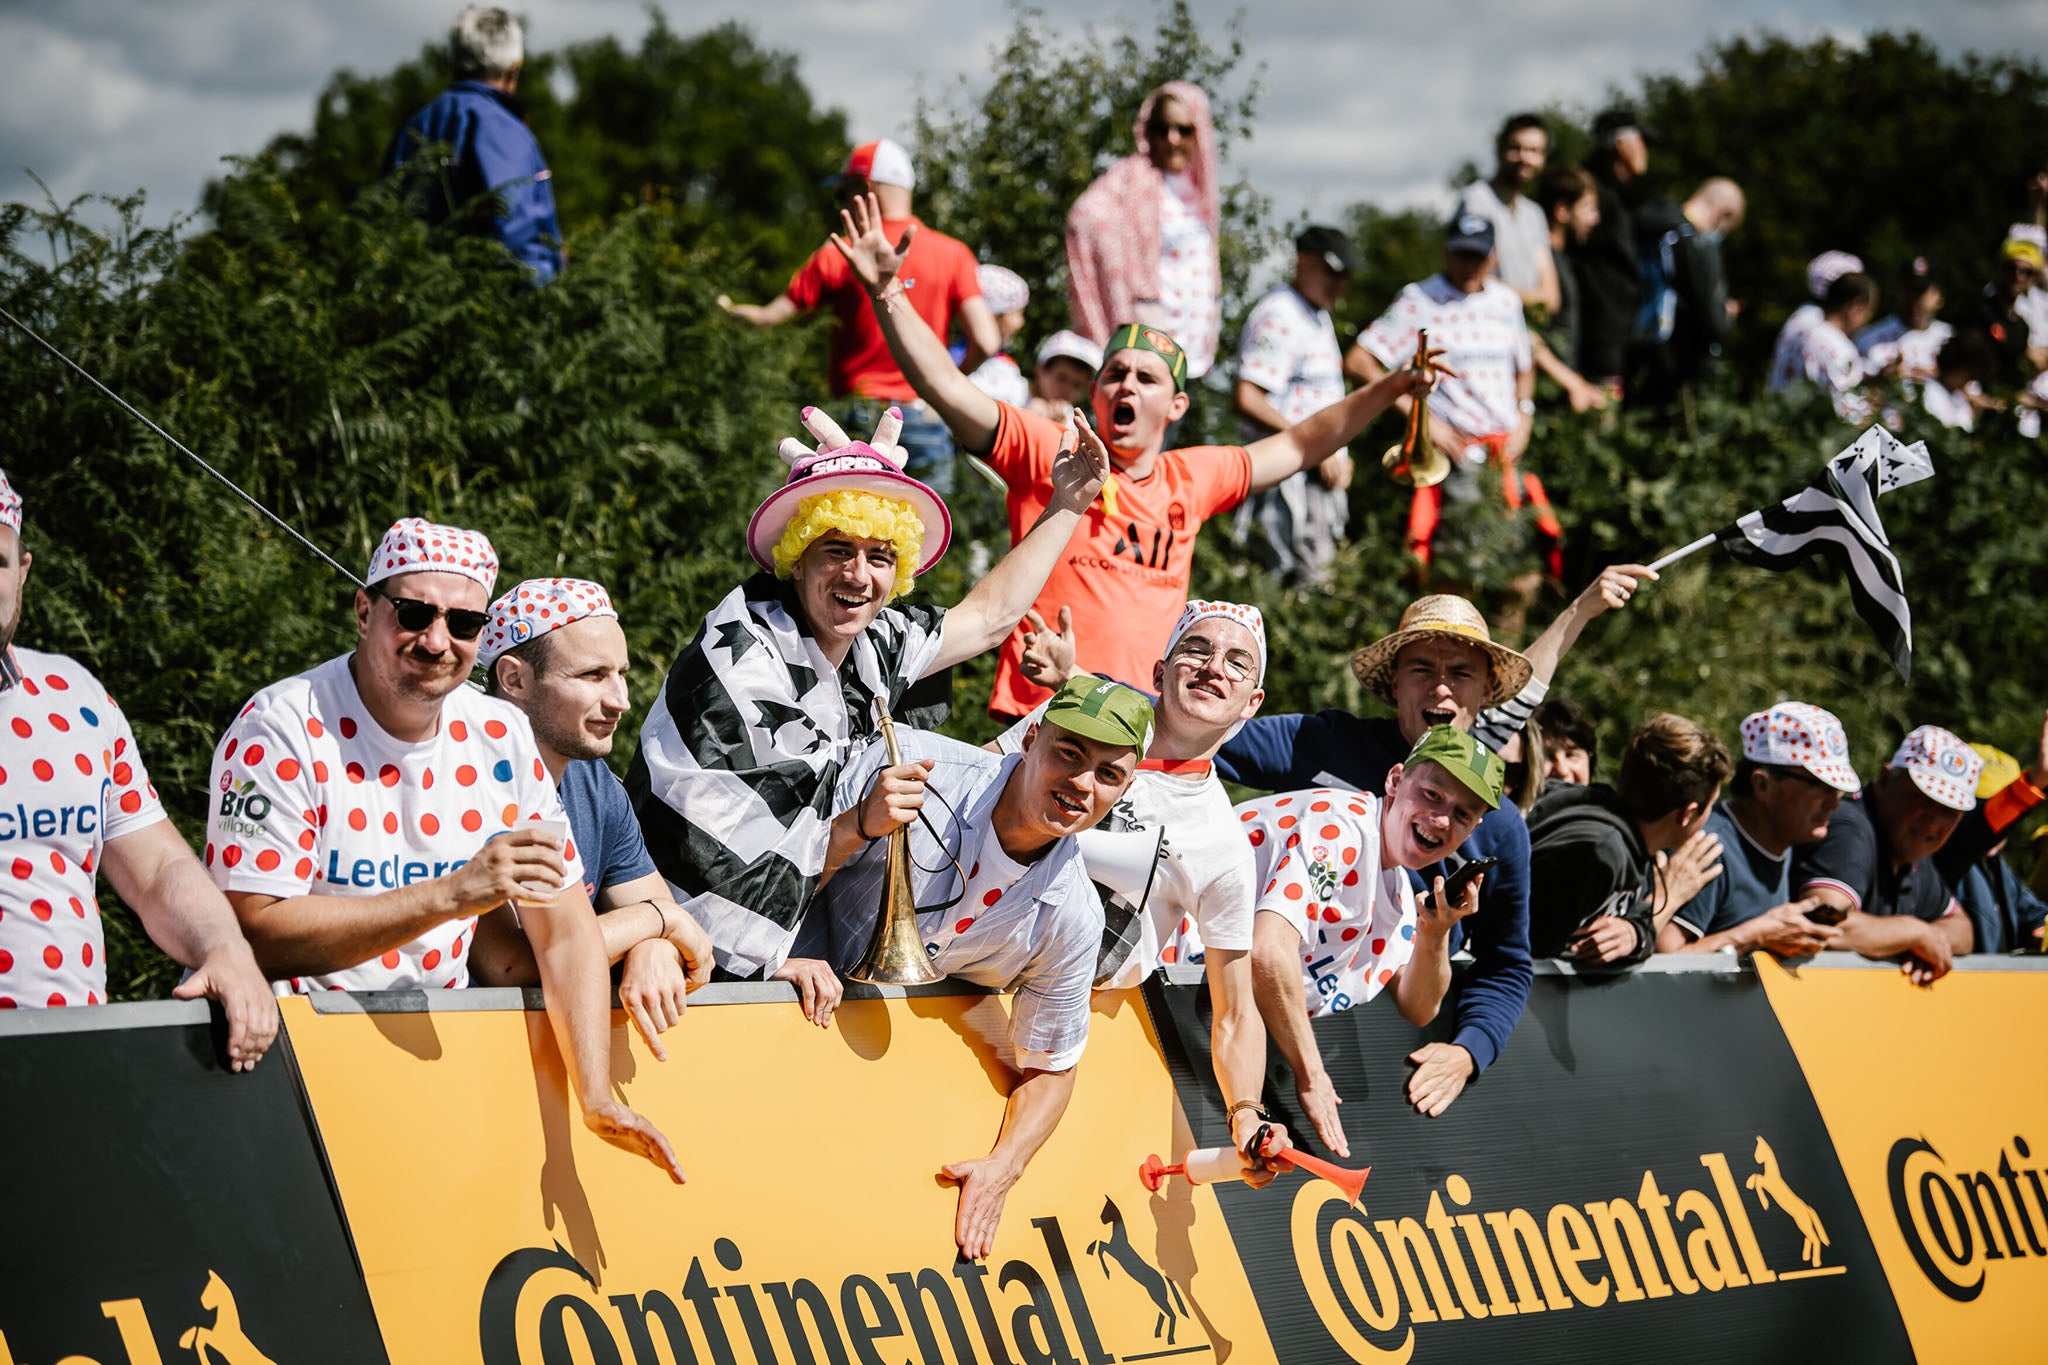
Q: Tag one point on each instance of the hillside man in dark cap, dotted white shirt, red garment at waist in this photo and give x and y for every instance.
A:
(1486, 408)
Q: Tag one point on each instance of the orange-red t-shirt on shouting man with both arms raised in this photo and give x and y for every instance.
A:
(1123, 578)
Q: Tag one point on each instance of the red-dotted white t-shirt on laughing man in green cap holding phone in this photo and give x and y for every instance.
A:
(1318, 863)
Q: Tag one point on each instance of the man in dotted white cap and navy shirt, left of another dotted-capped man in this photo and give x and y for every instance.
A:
(1789, 783)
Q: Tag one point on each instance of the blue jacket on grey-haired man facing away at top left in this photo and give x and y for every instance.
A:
(490, 150)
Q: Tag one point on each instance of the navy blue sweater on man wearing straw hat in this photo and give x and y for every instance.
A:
(1334, 748)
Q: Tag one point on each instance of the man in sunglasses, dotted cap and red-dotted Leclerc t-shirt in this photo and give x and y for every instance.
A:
(374, 809)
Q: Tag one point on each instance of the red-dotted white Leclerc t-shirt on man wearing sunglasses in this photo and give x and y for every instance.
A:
(312, 797)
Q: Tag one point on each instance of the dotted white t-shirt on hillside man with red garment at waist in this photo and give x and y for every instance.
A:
(1486, 341)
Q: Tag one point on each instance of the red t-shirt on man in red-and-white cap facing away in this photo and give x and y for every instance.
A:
(939, 275)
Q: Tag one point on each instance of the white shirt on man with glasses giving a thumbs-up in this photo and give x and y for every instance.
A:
(1205, 881)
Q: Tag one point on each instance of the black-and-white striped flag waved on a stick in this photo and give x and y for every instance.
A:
(1836, 519)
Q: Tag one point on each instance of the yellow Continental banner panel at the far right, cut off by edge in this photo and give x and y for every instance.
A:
(1938, 1106)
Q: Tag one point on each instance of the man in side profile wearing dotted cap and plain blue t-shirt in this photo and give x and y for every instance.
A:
(554, 650)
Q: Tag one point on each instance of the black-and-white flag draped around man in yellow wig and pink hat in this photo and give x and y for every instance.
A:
(742, 752)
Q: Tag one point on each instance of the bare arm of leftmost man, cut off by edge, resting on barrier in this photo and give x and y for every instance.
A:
(155, 871)
